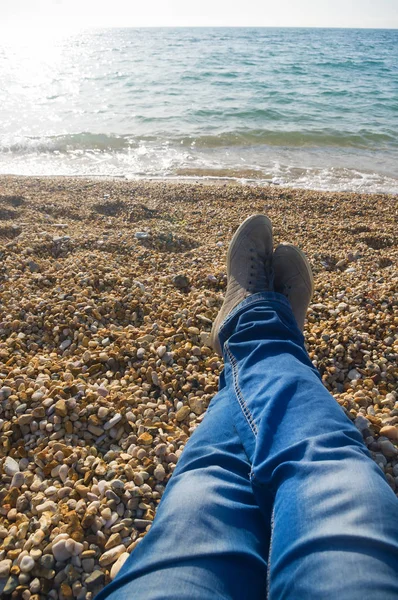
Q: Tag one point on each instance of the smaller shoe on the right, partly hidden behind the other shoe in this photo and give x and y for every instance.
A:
(293, 279)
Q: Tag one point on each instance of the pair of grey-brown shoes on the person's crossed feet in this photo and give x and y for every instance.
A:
(253, 266)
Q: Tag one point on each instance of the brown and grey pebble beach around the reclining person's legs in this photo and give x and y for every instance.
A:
(108, 290)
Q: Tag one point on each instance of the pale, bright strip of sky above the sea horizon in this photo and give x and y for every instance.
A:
(77, 14)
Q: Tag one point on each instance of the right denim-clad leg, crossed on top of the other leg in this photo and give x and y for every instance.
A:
(335, 518)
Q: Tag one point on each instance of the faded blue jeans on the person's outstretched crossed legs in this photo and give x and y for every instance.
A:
(275, 494)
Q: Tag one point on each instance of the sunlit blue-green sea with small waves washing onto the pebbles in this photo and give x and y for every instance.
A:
(312, 108)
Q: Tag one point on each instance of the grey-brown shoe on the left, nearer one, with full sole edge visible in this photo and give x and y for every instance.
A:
(249, 268)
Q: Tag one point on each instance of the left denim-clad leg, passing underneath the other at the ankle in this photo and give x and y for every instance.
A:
(209, 539)
